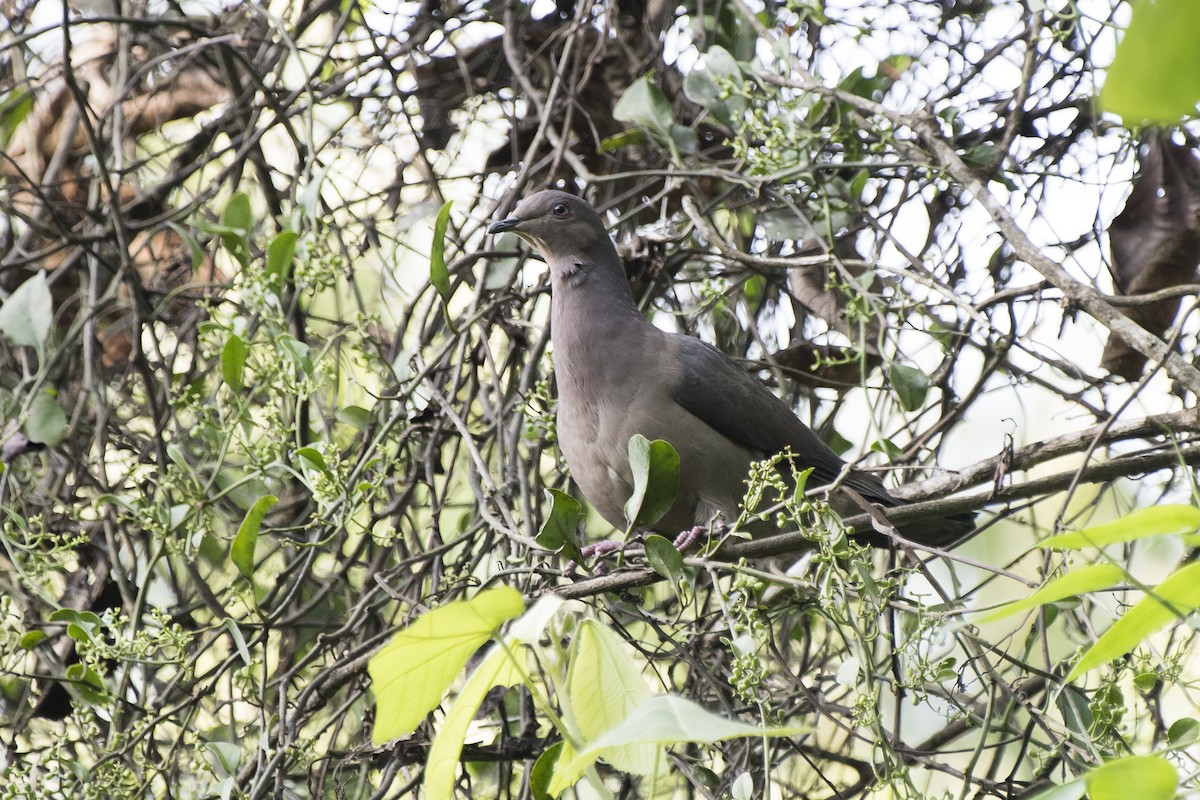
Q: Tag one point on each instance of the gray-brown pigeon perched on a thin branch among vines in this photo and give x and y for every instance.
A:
(619, 375)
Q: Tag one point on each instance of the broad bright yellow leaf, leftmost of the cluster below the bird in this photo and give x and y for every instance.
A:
(411, 675)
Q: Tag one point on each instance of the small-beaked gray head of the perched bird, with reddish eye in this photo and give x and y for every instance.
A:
(557, 225)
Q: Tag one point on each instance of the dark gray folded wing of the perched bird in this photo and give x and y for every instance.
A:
(713, 388)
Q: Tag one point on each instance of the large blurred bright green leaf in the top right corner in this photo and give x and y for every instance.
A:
(1156, 74)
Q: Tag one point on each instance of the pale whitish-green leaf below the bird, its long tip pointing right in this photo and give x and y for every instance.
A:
(668, 720)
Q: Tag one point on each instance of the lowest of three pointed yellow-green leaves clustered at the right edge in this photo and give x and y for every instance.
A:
(1174, 599)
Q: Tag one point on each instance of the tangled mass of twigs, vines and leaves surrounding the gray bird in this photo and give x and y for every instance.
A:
(271, 394)
